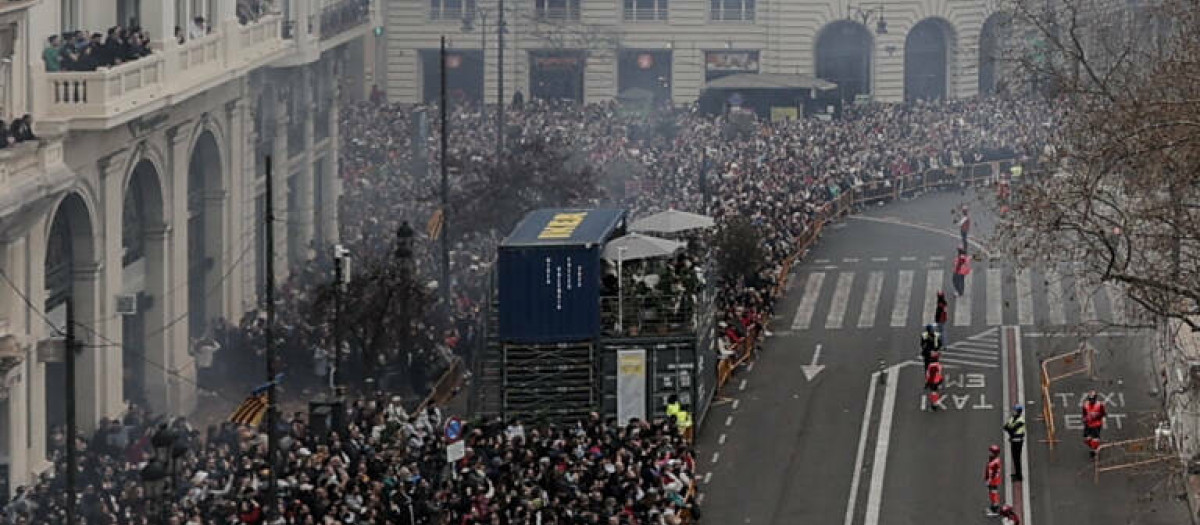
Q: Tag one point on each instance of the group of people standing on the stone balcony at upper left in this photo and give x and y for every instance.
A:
(77, 51)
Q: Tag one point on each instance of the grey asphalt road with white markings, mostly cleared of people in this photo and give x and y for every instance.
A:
(855, 445)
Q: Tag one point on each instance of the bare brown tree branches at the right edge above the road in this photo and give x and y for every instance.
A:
(1121, 192)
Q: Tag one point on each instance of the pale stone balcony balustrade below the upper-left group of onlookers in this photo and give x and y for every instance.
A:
(121, 90)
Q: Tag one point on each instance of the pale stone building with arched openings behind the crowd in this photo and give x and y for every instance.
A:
(592, 51)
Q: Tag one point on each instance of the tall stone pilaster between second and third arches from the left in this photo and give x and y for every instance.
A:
(172, 298)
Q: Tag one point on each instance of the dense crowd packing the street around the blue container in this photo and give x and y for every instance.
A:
(387, 467)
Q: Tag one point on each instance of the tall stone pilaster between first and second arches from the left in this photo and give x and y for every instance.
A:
(111, 279)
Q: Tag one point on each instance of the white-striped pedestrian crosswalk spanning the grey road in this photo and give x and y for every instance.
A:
(907, 298)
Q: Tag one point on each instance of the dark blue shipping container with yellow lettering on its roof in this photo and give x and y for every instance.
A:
(550, 274)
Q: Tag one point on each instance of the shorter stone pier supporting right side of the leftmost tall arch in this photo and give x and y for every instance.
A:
(93, 391)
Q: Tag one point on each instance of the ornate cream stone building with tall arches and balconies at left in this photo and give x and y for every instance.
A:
(143, 200)
